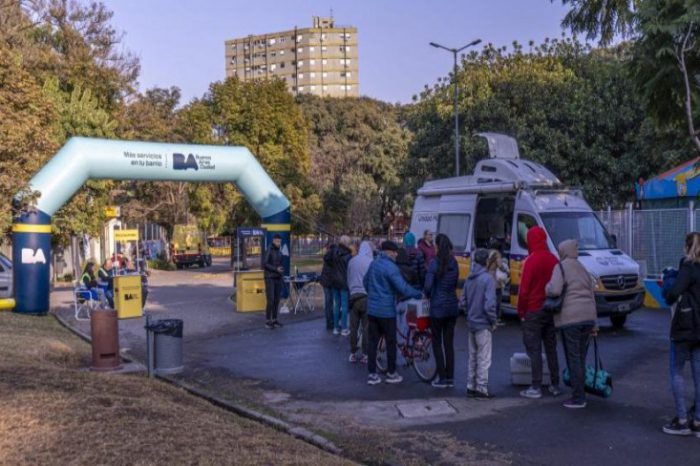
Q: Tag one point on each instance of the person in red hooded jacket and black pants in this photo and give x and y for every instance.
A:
(538, 326)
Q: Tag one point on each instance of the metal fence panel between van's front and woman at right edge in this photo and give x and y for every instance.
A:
(658, 237)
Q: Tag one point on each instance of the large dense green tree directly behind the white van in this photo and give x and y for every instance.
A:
(572, 108)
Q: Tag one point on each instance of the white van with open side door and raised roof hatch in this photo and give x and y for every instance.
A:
(505, 197)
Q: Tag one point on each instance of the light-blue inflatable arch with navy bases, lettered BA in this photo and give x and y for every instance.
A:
(82, 159)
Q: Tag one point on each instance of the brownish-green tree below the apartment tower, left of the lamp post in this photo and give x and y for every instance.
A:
(358, 150)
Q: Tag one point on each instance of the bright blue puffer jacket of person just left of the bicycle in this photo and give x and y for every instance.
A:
(383, 283)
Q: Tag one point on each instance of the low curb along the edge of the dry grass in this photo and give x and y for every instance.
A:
(295, 431)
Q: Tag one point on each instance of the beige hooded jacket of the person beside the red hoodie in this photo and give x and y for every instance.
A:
(579, 301)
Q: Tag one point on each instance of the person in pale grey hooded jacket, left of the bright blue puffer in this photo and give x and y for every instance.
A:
(357, 269)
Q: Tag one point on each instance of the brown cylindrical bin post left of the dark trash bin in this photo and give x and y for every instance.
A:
(104, 328)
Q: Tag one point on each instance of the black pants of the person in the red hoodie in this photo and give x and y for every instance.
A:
(538, 329)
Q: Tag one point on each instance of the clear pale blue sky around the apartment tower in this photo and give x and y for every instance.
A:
(181, 43)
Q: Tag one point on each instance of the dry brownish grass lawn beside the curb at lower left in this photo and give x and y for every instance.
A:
(52, 412)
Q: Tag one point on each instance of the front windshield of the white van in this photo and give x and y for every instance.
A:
(582, 226)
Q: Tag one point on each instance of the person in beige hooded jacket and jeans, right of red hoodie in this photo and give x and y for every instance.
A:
(576, 320)
